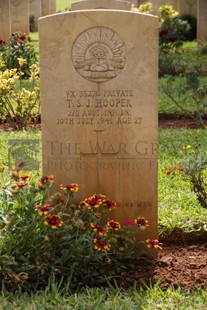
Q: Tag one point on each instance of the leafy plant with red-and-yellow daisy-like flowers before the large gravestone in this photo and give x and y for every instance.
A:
(47, 235)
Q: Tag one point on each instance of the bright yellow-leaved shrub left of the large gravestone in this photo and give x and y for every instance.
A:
(19, 99)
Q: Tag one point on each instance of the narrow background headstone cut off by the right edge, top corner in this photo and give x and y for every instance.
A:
(202, 20)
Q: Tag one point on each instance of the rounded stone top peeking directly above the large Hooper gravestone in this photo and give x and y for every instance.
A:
(101, 4)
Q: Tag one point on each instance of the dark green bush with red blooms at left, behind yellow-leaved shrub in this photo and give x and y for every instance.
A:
(18, 46)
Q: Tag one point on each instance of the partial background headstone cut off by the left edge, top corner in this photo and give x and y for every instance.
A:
(5, 29)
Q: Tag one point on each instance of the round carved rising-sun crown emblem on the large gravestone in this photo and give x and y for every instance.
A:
(98, 54)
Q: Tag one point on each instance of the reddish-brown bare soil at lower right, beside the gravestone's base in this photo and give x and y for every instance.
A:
(178, 265)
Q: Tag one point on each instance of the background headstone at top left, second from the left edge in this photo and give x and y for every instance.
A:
(19, 10)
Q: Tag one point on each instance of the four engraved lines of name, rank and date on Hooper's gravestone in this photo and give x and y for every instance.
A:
(109, 107)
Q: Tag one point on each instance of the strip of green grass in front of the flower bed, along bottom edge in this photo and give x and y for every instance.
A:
(107, 299)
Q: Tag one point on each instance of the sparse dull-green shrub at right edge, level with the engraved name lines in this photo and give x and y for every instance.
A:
(192, 88)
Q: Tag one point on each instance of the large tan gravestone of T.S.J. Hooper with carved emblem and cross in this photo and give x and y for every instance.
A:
(99, 107)
